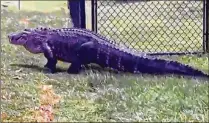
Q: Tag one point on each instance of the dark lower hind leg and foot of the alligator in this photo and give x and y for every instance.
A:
(74, 68)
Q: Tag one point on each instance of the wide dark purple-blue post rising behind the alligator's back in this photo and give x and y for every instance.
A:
(77, 13)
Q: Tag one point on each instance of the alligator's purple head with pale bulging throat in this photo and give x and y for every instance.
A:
(31, 39)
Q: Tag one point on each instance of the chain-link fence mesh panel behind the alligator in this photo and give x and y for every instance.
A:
(153, 26)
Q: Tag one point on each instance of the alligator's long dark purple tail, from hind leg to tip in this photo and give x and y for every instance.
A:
(126, 62)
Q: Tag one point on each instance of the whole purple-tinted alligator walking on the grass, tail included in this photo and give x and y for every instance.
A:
(81, 47)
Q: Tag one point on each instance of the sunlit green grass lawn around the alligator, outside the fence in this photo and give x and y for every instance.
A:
(114, 97)
